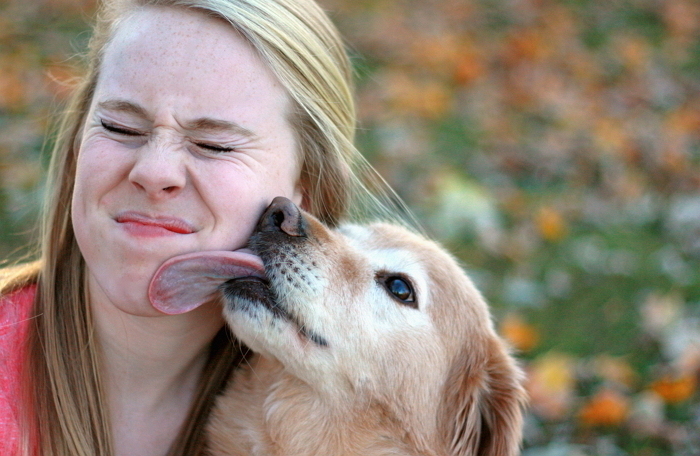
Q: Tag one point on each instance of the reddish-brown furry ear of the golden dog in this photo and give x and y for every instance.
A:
(482, 409)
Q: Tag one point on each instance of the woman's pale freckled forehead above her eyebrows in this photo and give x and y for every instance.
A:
(188, 62)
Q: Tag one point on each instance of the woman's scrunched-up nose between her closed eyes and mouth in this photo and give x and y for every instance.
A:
(159, 168)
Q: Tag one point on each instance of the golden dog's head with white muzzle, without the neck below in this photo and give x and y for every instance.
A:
(378, 316)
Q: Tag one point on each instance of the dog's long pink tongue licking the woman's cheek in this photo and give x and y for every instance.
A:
(185, 282)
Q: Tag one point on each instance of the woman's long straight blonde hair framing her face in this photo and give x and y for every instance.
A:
(297, 41)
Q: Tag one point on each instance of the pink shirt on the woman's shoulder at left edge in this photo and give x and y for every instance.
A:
(15, 309)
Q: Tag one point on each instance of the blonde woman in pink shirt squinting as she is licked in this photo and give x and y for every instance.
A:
(192, 116)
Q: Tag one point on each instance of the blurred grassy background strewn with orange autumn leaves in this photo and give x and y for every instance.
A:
(552, 145)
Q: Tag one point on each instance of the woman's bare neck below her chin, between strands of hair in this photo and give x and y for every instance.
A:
(151, 368)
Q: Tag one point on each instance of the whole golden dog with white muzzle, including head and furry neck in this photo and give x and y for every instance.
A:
(368, 340)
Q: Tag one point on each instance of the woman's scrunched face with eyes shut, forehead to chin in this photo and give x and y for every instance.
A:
(186, 142)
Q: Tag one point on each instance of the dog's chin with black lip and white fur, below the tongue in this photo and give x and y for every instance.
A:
(260, 321)
